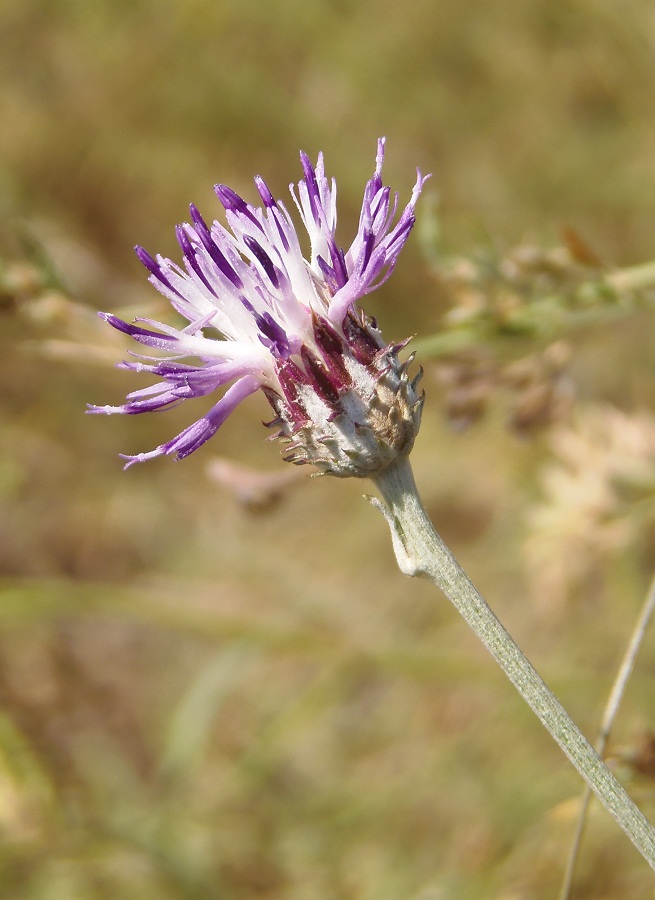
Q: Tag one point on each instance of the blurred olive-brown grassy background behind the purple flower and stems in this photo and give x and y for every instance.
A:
(204, 694)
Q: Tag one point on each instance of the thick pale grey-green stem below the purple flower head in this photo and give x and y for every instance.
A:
(420, 551)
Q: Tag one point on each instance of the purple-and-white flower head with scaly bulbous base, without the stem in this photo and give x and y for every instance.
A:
(261, 315)
